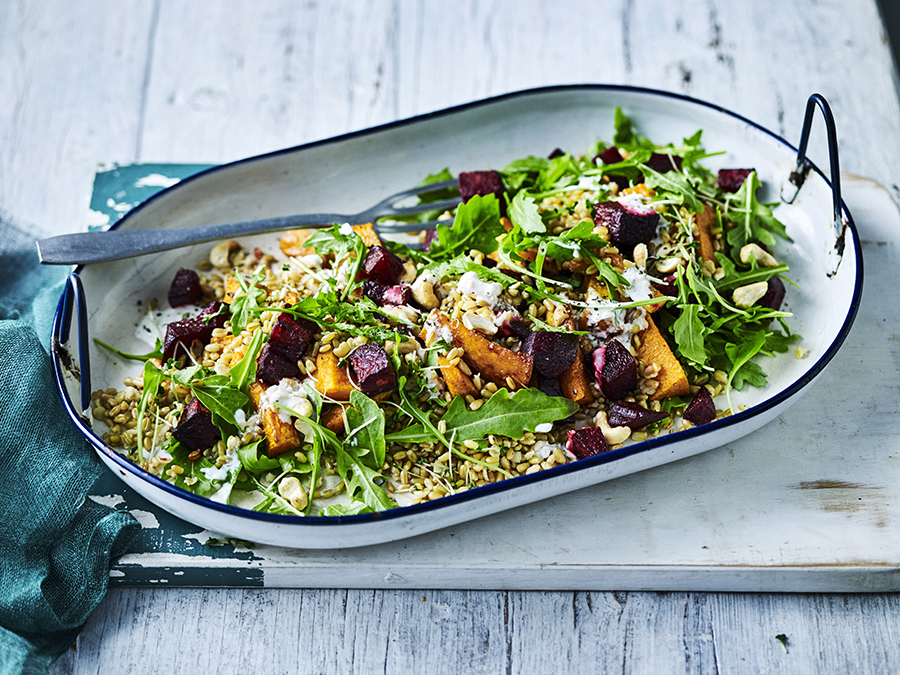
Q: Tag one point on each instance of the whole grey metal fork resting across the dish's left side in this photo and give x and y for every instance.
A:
(91, 247)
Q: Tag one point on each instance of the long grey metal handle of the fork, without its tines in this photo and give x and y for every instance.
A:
(91, 247)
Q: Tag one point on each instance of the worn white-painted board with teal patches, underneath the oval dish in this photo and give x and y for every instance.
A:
(808, 503)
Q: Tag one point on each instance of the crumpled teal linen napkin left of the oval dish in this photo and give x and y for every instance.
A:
(56, 546)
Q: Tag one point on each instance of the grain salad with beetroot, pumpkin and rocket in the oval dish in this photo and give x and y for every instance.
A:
(571, 304)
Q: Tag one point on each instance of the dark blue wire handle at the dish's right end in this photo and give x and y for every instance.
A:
(800, 172)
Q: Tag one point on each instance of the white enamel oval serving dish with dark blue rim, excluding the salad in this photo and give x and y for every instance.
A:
(349, 172)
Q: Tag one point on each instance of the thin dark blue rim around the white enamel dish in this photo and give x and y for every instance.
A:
(509, 483)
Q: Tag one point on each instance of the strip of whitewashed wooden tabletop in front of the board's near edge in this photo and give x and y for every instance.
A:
(357, 631)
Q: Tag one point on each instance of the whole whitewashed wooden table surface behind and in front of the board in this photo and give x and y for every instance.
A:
(98, 81)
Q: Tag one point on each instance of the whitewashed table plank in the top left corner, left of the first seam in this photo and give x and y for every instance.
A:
(71, 80)
